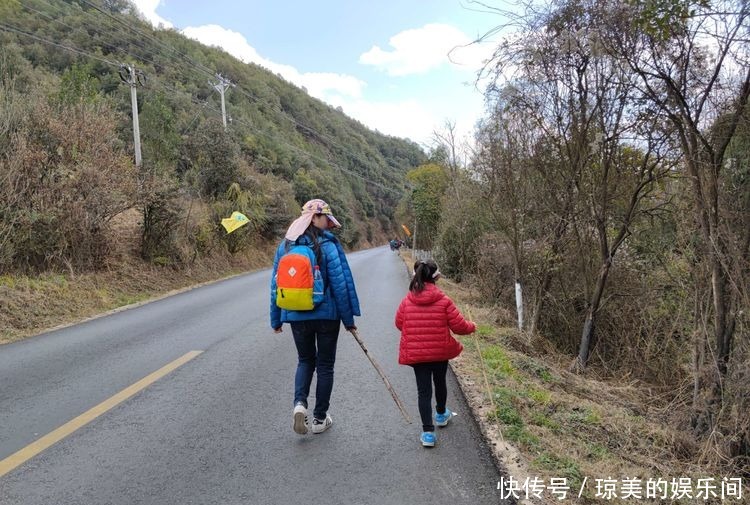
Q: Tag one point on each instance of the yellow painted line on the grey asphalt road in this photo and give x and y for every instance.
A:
(31, 450)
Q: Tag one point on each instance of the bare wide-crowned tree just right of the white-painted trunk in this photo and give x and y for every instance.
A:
(607, 156)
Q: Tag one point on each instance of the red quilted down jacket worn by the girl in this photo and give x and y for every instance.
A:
(426, 319)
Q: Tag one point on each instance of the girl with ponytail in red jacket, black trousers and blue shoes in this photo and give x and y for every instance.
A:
(426, 317)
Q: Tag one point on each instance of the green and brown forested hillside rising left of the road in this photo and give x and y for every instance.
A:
(67, 148)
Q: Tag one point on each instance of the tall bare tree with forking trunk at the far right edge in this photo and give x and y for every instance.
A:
(696, 73)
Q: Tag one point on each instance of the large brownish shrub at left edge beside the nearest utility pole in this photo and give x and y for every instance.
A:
(65, 177)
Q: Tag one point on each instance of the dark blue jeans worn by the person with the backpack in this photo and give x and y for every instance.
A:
(315, 358)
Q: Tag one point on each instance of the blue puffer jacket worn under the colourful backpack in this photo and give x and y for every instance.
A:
(340, 301)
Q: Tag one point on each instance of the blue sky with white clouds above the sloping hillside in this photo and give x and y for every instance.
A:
(384, 62)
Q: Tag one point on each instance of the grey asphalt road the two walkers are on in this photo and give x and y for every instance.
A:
(217, 430)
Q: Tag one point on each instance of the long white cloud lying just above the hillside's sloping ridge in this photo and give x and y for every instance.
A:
(317, 84)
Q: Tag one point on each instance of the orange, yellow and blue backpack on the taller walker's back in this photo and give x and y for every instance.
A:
(299, 283)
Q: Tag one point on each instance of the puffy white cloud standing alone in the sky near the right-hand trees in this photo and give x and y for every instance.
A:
(419, 50)
